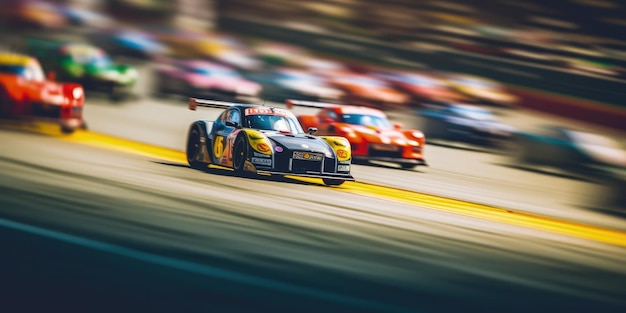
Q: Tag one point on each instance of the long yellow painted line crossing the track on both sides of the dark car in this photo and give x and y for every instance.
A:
(398, 195)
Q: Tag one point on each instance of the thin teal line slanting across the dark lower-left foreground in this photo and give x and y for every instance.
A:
(196, 268)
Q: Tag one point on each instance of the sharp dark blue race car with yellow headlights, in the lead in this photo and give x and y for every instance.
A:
(255, 139)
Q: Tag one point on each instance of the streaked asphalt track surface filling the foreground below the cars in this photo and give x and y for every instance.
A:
(90, 228)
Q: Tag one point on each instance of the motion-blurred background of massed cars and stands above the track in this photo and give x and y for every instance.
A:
(550, 76)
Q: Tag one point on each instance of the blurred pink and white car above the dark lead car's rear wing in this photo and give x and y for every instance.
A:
(200, 78)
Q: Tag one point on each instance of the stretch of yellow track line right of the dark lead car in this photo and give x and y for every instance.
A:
(489, 213)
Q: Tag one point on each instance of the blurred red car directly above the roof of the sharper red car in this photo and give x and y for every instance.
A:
(361, 89)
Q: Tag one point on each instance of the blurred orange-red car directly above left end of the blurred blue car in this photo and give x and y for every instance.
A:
(421, 87)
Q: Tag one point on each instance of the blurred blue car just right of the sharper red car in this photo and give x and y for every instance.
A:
(466, 123)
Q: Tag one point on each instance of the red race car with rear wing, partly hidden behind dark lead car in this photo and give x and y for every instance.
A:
(371, 135)
